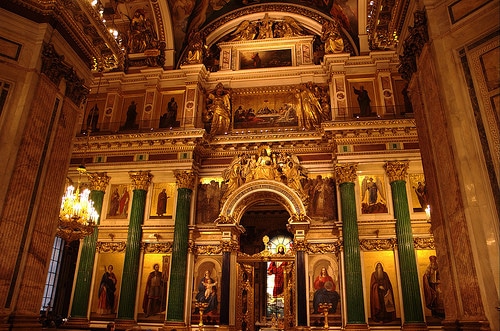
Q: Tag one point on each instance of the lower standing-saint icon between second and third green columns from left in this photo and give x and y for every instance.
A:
(154, 287)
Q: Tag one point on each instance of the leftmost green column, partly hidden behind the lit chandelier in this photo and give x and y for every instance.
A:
(79, 308)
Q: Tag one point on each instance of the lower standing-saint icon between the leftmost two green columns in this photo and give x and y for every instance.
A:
(106, 291)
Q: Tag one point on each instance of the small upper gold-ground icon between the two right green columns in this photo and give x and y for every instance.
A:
(373, 194)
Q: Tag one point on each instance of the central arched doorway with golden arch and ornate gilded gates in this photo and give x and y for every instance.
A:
(269, 213)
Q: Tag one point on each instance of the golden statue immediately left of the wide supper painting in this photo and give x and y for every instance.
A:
(219, 105)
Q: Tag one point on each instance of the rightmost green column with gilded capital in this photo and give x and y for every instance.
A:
(413, 312)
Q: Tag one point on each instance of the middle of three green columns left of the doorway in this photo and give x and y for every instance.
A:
(126, 307)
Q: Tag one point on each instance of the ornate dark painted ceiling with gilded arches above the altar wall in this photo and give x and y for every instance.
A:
(102, 31)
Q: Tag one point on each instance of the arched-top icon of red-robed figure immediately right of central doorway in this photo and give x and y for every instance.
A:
(325, 290)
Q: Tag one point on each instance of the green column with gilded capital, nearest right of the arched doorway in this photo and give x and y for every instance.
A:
(346, 175)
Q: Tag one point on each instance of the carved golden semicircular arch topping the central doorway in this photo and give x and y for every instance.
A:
(260, 190)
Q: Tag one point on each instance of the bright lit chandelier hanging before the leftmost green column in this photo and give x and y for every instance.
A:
(78, 217)
